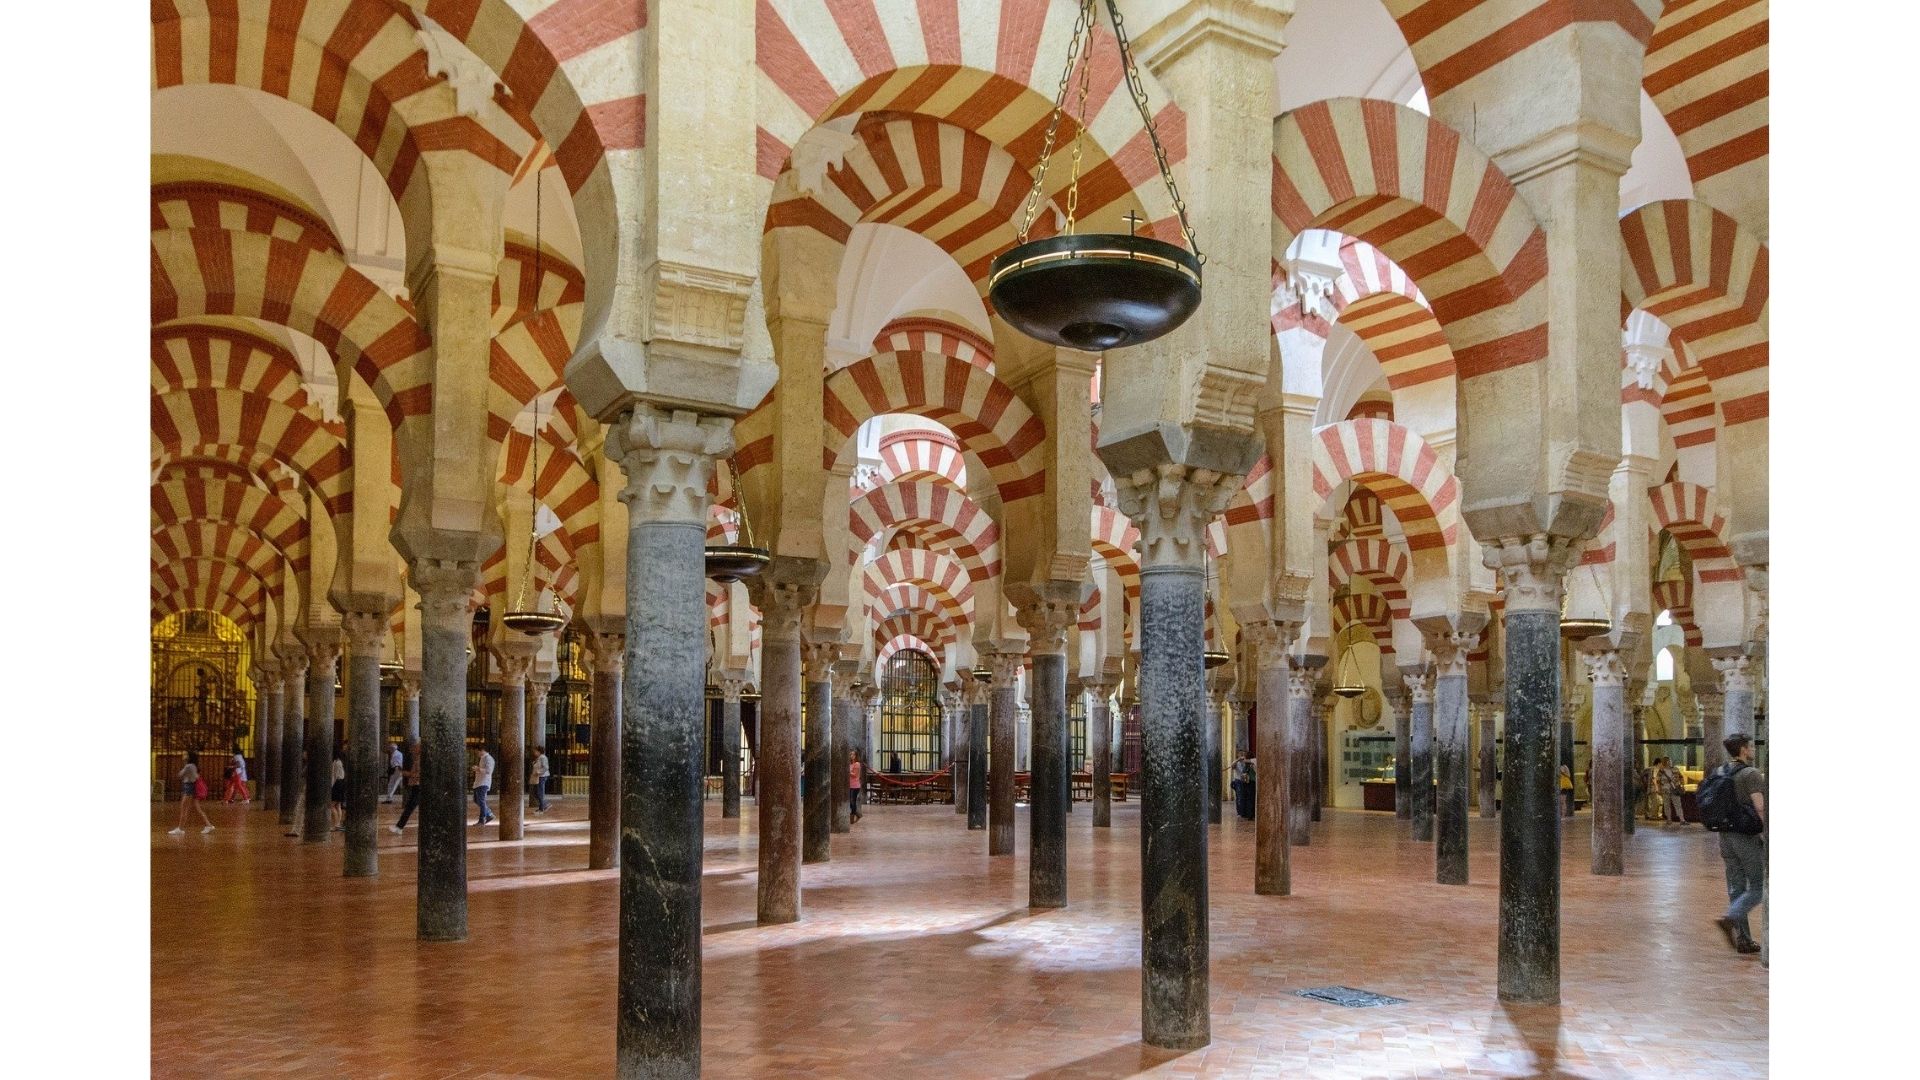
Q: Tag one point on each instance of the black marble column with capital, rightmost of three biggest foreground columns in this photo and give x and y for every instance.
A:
(1533, 574)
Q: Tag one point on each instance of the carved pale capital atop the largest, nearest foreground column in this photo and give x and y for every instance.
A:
(669, 460)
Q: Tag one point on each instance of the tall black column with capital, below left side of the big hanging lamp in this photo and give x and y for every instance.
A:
(1047, 620)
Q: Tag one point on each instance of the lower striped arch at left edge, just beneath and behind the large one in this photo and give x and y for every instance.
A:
(189, 424)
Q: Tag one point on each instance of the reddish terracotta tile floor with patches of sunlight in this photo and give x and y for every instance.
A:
(917, 958)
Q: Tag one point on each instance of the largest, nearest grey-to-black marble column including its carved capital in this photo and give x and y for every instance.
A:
(669, 460)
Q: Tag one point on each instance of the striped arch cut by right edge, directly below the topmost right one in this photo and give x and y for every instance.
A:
(1706, 278)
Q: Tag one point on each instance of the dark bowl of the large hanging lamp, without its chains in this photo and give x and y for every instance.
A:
(1095, 291)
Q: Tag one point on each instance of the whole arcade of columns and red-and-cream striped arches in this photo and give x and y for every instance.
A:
(1439, 391)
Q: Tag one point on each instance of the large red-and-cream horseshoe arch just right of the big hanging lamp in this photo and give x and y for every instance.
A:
(1433, 205)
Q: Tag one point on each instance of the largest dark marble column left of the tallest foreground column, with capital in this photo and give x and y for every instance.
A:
(446, 629)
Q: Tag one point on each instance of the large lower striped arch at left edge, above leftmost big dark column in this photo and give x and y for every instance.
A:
(212, 272)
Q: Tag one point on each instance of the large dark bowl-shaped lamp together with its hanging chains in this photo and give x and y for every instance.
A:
(1095, 291)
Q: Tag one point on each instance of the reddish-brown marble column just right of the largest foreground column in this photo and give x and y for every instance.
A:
(782, 593)
